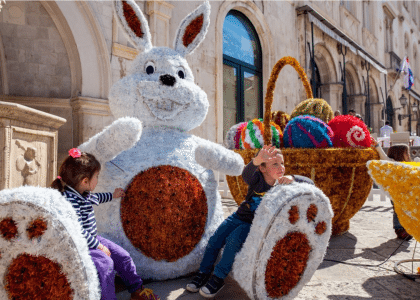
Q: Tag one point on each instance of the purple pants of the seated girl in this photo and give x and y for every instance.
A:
(120, 261)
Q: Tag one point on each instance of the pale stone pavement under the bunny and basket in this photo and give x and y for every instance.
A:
(369, 241)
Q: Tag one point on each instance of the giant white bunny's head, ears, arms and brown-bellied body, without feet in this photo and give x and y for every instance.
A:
(172, 205)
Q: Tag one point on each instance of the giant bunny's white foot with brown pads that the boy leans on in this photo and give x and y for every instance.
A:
(287, 242)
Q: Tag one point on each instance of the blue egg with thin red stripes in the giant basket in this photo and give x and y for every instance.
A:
(307, 132)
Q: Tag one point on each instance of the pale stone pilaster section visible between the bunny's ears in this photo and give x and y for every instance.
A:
(160, 12)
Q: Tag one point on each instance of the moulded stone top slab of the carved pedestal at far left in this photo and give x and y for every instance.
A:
(14, 111)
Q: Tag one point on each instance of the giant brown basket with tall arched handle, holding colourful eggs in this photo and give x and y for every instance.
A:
(340, 173)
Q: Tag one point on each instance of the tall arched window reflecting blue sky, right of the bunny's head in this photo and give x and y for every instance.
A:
(242, 71)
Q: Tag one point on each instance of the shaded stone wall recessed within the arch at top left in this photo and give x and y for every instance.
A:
(37, 62)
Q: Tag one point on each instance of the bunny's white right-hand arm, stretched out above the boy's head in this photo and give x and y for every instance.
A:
(216, 157)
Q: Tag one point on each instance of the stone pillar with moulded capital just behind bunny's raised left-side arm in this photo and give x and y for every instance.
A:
(90, 116)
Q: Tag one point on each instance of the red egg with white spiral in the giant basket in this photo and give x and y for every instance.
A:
(350, 131)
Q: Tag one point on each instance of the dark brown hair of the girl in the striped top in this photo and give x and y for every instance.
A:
(74, 170)
